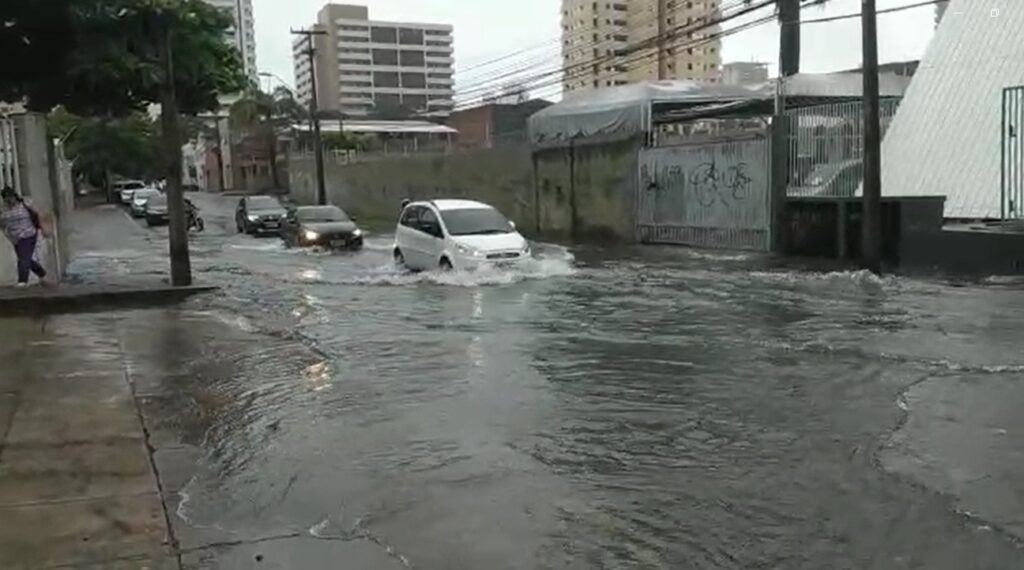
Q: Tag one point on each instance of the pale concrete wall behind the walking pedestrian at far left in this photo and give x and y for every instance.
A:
(47, 184)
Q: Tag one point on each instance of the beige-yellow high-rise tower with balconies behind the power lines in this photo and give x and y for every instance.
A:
(615, 43)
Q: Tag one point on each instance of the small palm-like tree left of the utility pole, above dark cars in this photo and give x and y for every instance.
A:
(264, 117)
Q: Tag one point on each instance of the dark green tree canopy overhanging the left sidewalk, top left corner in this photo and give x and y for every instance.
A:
(104, 58)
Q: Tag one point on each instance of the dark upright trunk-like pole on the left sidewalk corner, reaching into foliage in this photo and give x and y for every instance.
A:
(179, 232)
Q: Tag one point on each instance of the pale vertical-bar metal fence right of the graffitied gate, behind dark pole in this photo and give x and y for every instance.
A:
(827, 145)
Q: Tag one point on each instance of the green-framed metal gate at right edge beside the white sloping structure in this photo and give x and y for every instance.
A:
(1012, 189)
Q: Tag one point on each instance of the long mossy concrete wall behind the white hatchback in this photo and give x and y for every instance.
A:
(582, 193)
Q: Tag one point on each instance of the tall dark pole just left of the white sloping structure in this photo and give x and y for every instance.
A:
(873, 142)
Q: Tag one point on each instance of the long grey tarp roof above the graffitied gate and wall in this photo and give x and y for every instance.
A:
(623, 112)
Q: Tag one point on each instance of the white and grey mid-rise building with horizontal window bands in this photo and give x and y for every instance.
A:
(365, 68)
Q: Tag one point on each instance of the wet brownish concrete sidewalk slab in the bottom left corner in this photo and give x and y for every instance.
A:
(77, 485)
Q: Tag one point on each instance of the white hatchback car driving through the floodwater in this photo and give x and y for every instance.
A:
(457, 235)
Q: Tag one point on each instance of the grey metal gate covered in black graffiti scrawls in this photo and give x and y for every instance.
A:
(709, 196)
